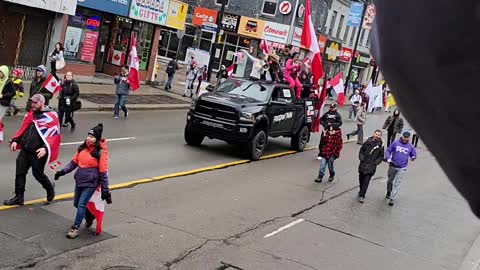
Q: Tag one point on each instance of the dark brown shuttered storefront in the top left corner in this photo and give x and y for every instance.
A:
(20, 21)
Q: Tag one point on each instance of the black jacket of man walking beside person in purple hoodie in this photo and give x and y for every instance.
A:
(370, 155)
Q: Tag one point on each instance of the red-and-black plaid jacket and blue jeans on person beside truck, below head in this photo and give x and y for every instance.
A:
(330, 146)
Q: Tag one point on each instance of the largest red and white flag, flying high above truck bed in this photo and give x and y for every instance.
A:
(310, 42)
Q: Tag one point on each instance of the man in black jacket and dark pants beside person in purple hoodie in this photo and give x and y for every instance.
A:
(370, 155)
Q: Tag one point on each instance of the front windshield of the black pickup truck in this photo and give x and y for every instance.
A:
(248, 89)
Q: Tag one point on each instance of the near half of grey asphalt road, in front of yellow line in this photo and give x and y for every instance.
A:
(233, 219)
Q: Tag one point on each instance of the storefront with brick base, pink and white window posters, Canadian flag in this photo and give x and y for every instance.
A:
(97, 38)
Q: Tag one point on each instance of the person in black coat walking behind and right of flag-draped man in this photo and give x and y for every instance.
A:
(67, 98)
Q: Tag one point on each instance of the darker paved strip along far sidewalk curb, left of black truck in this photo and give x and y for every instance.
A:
(132, 99)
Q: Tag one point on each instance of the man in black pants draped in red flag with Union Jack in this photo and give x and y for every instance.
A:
(39, 141)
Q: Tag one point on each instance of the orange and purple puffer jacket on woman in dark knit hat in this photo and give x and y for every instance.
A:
(91, 172)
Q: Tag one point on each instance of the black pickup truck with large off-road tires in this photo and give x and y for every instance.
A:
(245, 112)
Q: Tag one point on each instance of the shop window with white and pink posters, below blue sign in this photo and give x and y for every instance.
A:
(82, 34)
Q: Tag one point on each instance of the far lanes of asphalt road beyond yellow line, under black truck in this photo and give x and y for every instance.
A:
(156, 147)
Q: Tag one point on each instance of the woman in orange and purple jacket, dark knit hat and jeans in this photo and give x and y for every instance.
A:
(91, 162)
